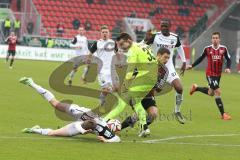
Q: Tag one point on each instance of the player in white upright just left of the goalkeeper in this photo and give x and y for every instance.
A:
(104, 50)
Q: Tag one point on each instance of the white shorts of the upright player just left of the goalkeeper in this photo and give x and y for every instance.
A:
(108, 80)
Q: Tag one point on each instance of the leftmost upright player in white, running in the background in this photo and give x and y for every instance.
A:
(80, 43)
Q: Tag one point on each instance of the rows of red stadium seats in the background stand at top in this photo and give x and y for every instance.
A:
(54, 11)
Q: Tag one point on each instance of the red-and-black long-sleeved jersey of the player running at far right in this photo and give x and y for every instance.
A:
(215, 59)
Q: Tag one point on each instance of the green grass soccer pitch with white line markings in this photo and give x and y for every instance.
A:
(204, 136)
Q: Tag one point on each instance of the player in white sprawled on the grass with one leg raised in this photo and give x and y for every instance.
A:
(86, 121)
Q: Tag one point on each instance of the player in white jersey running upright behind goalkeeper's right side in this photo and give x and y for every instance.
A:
(169, 40)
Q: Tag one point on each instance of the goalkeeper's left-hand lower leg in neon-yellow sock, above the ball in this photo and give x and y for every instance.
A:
(117, 110)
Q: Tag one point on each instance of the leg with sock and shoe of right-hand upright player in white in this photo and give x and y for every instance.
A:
(179, 98)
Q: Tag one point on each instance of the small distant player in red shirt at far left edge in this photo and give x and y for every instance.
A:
(12, 42)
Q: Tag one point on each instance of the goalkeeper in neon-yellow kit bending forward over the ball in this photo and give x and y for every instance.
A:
(140, 77)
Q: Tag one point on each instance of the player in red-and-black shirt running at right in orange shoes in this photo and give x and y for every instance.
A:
(215, 54)
